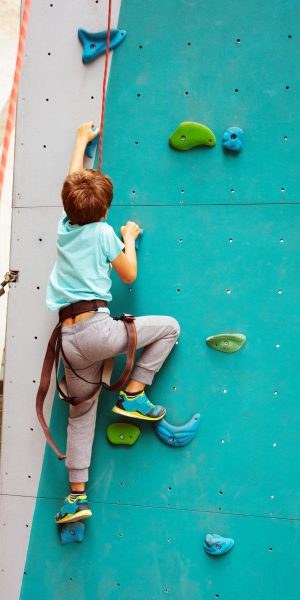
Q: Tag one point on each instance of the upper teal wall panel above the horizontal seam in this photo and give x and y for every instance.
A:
(217, 66)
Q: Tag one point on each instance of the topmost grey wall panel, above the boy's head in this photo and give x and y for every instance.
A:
(57, 92)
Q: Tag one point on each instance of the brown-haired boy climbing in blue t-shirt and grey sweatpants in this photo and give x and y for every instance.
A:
(86, 248)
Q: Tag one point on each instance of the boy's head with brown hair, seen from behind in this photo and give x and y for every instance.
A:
(87, 196)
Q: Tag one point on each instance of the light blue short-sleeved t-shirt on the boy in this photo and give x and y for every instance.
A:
(82, 269)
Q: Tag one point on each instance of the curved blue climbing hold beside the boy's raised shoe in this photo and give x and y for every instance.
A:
(174, 435)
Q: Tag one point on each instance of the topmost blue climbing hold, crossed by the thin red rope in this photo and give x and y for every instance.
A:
(94, 44)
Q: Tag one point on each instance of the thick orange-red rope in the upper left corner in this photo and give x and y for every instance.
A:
(9, 125)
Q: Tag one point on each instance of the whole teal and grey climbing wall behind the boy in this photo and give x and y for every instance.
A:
(220, 253)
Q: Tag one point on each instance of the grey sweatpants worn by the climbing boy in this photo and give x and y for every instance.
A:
(86, 344)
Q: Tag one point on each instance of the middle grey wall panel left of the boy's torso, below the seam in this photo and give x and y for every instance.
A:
(29, 327)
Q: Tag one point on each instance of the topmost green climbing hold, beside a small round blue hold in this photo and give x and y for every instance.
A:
(189, 135)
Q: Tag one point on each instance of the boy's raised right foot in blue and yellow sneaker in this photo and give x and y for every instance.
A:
(138, 407)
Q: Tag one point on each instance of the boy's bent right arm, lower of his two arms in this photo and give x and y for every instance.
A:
(126, 263)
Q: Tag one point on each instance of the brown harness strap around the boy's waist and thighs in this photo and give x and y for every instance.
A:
(54, 349)
